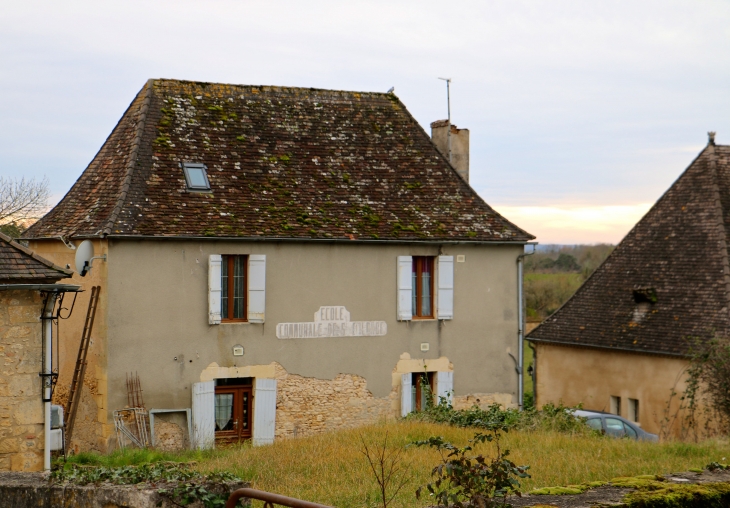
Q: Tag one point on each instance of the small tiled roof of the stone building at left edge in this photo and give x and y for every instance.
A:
(20, 265)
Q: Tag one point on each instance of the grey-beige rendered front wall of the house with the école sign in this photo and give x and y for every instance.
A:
(158, 316)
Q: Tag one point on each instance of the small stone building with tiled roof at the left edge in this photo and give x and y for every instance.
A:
(27, 283)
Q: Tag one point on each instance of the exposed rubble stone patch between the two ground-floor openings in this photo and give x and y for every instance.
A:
(307, 405)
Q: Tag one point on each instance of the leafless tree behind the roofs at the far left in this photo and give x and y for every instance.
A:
(22, 199)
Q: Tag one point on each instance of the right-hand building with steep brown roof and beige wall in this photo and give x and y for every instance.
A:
(621, 343)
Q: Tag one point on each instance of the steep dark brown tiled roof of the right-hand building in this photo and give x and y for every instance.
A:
(668, 282)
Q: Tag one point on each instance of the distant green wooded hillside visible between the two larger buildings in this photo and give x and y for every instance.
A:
(555, 272)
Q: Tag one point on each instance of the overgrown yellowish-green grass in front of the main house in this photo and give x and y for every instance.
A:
(331, 469)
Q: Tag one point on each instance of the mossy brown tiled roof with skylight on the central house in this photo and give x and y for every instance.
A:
(289, 163)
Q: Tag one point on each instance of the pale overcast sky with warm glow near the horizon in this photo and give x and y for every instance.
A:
(581, 113)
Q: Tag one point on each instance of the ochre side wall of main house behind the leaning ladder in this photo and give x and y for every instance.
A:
(92, 427)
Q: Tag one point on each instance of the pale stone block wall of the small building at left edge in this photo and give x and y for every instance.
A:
(21, 408)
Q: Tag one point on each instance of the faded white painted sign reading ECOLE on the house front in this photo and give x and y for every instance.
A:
(331, 321)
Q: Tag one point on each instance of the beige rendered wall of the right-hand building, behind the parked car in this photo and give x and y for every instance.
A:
(591, 376)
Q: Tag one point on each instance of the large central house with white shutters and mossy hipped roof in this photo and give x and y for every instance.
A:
(286, 261)
